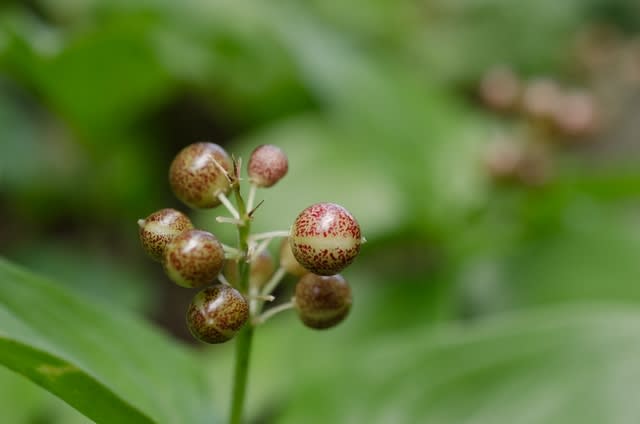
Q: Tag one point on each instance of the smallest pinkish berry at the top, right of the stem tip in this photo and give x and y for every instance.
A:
(267, 165)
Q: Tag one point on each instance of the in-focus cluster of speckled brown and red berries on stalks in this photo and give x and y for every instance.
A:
(237, 281)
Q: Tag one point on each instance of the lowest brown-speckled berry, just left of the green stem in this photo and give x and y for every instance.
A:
(217, 313)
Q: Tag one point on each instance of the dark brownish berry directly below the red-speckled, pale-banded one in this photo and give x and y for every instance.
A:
(322, 301)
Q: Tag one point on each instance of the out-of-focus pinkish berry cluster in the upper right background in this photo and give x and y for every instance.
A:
(546, 115)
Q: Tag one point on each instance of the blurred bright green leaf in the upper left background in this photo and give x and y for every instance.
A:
(98, 81)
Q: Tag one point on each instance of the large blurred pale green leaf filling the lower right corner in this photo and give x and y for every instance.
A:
(565, 365)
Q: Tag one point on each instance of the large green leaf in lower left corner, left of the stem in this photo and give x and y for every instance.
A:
(96, 357)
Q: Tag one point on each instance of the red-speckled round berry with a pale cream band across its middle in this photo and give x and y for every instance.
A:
(325, 238)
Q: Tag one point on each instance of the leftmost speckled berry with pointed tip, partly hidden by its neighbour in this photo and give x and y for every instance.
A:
(159, 228)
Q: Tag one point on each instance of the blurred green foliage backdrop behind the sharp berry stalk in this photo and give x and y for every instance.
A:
(489, 148)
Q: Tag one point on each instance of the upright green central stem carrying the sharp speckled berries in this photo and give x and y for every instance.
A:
(245, 336)
